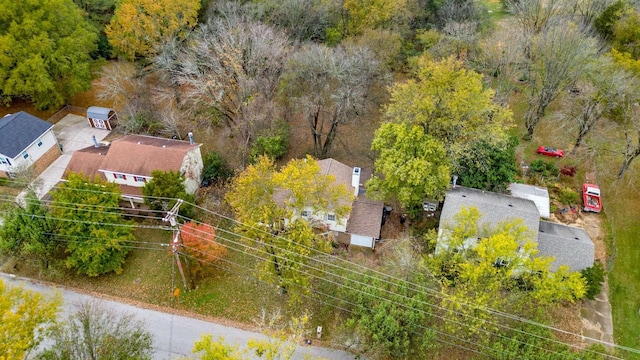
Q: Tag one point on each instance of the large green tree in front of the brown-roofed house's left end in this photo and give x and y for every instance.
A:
(88, 218)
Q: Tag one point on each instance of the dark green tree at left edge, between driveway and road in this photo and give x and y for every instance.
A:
(28, 233)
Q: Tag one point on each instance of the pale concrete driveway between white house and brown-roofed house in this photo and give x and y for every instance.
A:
(73, 133)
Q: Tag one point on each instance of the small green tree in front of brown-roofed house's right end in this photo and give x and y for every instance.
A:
(163, 190)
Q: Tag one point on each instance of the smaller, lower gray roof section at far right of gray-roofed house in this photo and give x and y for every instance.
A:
(570, 245)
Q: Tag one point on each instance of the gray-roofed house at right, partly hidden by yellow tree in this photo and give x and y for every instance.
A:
(569, 245)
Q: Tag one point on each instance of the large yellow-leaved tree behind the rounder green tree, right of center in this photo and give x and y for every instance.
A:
(450, 103)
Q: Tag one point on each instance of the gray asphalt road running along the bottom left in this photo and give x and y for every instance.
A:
(174, 335)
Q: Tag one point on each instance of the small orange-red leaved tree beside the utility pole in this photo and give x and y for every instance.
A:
(199, 243)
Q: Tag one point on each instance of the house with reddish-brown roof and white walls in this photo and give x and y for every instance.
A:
(130, 160)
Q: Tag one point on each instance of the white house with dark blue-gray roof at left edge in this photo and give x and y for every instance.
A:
(26, 141)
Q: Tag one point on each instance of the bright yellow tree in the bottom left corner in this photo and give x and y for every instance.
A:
(26, 319)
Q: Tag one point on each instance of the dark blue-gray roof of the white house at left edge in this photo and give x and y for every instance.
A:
(18, 131)
